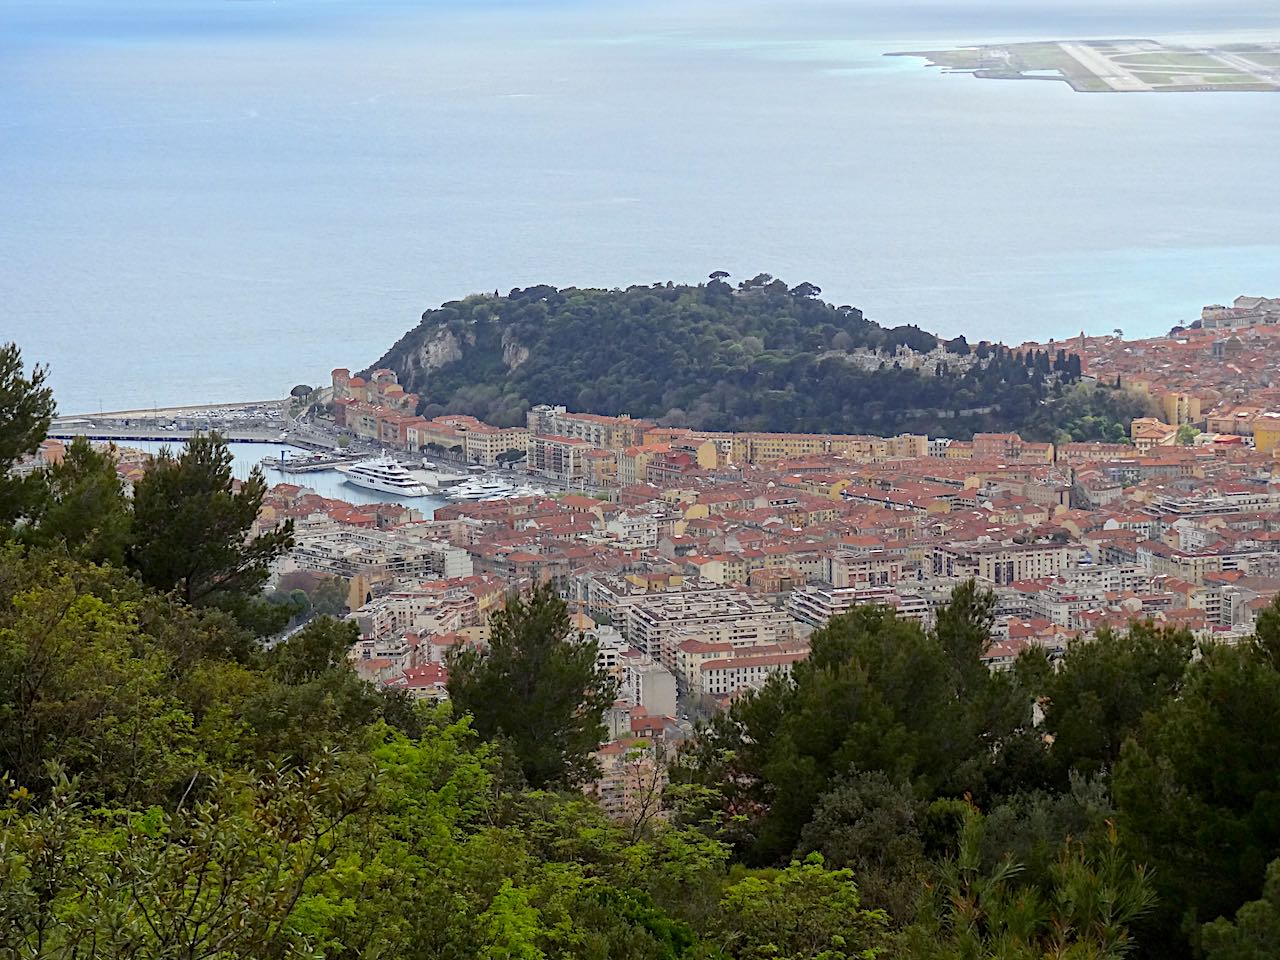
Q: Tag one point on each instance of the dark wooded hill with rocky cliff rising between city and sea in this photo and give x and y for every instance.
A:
(758, 356)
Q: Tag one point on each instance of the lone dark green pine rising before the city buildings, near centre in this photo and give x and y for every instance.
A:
(537, 689)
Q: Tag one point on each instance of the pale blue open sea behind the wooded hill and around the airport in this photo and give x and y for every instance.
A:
(204, 200)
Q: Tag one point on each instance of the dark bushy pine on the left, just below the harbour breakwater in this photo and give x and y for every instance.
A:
(191, 527)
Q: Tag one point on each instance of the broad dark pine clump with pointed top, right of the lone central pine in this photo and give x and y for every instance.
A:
(876, 694)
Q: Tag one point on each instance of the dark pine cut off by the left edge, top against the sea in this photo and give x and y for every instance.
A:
(26, 410)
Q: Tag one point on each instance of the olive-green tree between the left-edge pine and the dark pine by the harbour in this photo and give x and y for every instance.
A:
(80, 505)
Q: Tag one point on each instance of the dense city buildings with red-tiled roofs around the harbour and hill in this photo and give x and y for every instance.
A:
(703, 564)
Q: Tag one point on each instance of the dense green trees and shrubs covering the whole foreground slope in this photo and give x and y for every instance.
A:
(177, 788)
